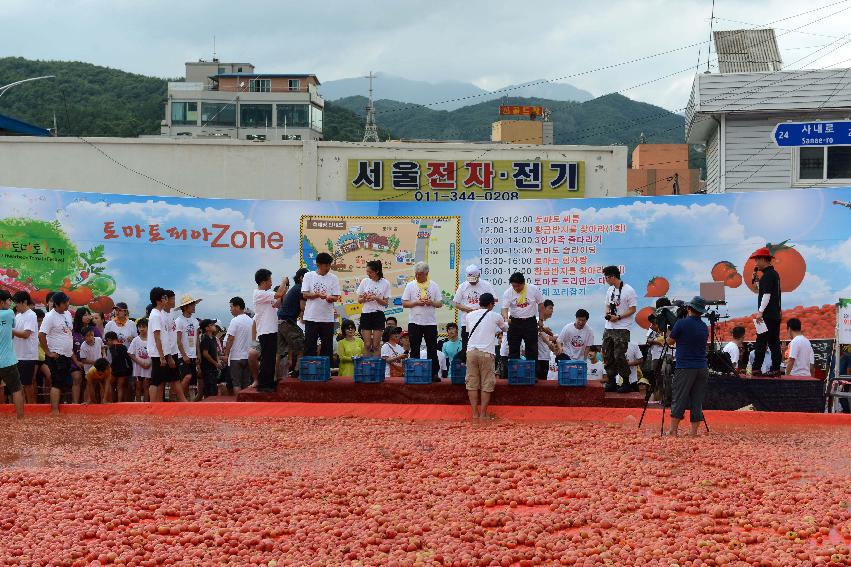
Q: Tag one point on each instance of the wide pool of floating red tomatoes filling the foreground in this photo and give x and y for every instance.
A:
(84, 490)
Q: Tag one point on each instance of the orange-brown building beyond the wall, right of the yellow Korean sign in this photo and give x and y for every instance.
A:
(661, 169)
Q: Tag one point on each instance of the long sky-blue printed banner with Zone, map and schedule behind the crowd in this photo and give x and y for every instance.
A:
(102, 248)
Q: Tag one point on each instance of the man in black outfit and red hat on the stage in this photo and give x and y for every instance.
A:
(768, 302)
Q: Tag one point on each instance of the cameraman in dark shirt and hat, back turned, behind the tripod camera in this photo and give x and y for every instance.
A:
(692, 373)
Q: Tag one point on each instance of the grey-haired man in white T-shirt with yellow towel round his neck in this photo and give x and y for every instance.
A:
(422, 296)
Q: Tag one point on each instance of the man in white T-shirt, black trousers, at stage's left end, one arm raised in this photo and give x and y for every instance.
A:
(266, 303)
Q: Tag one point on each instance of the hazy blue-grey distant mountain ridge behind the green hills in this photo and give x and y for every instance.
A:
(446, 95)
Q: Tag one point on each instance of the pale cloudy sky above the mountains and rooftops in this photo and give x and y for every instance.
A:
(491, 44)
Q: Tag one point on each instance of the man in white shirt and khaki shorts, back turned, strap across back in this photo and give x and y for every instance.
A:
(481, 371)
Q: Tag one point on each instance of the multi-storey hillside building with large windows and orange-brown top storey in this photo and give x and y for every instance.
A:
(231, 100)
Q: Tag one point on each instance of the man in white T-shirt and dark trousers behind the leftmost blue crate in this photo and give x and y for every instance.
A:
(320, 289)
